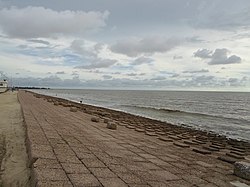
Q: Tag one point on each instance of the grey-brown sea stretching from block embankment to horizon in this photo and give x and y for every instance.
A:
(225, 113)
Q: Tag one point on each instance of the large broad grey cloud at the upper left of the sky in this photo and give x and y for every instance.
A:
(34, 22)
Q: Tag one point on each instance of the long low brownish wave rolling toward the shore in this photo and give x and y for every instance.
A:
(181, 112)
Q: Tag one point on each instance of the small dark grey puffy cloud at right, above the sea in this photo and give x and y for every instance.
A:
(218, 57)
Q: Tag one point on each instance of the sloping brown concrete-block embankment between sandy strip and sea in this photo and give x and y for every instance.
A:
(69, 145)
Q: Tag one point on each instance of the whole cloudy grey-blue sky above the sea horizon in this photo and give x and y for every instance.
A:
(132, 44)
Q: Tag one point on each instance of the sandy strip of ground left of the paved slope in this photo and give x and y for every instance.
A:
(13, 156)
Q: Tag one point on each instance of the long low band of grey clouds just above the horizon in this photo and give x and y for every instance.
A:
(200, 81)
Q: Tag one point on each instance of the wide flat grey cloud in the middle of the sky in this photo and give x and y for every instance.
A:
(149, 45)
